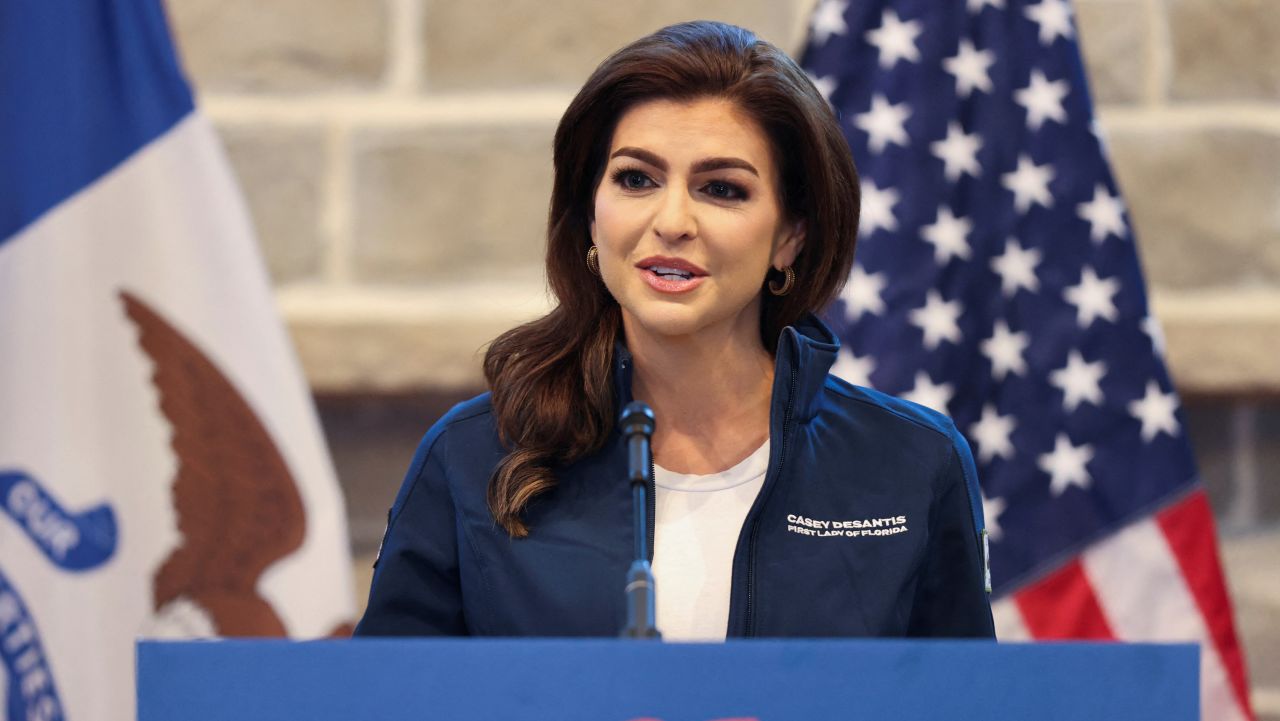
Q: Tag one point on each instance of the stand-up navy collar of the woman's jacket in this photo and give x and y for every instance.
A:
(808, 348)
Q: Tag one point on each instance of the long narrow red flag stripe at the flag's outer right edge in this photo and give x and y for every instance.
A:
(1188, 527)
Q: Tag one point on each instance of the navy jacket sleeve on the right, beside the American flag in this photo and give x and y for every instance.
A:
(952, 594)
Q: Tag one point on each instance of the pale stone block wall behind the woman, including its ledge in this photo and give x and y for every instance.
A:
(396, 153)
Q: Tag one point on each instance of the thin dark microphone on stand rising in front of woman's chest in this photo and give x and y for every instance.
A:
(637, 423)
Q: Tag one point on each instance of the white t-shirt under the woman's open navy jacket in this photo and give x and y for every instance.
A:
(697, 524)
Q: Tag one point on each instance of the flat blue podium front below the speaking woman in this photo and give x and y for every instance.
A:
(616, 681)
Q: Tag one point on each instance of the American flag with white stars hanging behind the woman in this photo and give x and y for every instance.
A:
(998, 281)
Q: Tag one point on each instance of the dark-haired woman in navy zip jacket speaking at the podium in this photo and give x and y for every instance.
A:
(705, 207)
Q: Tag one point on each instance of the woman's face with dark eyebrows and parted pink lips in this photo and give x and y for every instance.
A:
(688, 220)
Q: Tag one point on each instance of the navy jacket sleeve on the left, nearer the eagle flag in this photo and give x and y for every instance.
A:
(417, 590)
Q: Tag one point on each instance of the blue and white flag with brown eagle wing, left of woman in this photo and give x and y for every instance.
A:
(162, 469)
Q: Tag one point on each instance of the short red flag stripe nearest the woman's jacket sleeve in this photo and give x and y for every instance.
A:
(1063, 606)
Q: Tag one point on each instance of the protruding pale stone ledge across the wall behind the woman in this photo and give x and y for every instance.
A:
(360, 341)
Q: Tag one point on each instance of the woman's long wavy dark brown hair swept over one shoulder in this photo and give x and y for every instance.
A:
(552, 380)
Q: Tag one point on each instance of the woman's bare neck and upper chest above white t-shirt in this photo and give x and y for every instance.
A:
(710, 393)
